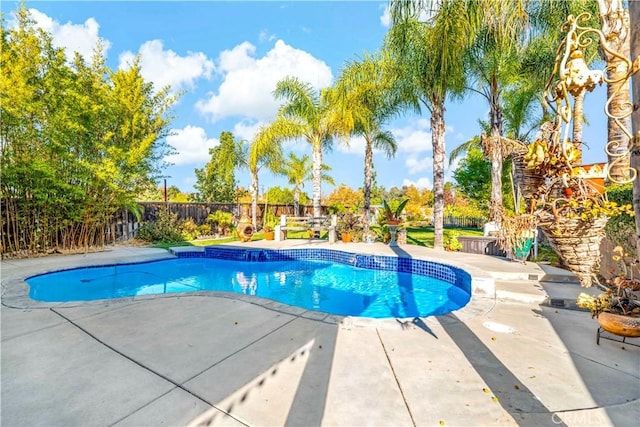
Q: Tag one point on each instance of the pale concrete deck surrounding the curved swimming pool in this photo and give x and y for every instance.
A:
(512, 356)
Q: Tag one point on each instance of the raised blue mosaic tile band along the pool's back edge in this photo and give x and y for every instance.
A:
(436, 270)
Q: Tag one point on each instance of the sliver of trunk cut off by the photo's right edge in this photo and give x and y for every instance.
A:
(634, 11)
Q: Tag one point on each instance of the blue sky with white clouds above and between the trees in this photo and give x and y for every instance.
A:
(227, 58)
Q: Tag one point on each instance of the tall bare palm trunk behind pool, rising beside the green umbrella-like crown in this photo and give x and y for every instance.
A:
(438, 142)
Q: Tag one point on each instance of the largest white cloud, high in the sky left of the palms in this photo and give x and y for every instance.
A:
(248, 82)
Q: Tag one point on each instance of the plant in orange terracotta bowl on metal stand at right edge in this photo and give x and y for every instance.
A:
(618, 307)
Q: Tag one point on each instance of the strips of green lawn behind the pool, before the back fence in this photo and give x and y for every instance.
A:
(421, 236)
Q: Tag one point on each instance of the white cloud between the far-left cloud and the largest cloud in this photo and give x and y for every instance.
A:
(167, 68)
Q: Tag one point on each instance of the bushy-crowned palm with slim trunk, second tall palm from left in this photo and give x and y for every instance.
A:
(368, 96)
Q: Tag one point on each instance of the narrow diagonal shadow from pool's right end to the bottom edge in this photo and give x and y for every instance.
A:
(518, 401)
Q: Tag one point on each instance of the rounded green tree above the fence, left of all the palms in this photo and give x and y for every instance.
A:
(216, 182)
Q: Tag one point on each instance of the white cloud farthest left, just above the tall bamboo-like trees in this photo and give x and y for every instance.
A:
(81, 38)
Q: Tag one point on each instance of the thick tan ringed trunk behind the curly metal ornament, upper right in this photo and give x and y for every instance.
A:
(615, 26)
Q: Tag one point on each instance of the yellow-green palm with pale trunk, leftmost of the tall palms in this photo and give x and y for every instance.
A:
(306, 114)
